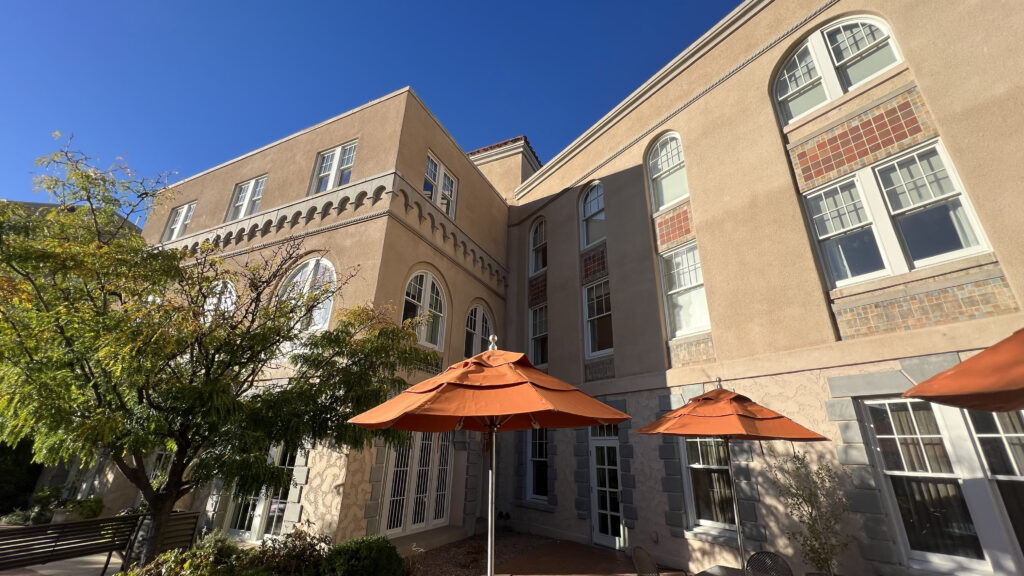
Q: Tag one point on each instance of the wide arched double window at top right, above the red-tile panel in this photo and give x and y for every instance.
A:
(832, 62)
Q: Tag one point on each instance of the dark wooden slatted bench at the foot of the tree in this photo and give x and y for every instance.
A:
(51, 543)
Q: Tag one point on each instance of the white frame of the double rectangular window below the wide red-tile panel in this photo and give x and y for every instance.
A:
(894, 256)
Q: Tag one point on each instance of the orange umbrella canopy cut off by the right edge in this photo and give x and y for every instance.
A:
(993, 380)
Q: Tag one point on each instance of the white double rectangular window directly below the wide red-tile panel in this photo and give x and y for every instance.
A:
(898, 216)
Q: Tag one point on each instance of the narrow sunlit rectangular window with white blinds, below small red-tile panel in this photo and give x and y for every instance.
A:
(685, 292)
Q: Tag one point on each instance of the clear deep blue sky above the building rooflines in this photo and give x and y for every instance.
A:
(187, 86)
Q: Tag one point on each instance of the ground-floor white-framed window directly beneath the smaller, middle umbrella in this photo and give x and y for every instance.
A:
(711, 482)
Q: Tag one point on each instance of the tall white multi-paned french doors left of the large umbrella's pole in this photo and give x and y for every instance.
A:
(419, 484)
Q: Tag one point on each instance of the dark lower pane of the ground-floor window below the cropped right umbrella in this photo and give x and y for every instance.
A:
(935, 517)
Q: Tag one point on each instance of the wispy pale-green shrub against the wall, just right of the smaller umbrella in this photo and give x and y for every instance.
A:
(816, 500)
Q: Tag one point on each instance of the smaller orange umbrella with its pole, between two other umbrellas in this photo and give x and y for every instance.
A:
(726, 415)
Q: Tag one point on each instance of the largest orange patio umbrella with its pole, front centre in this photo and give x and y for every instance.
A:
(495, 390)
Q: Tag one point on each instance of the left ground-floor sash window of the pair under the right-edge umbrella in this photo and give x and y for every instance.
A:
(928, 493)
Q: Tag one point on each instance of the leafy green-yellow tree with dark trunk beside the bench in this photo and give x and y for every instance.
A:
(113, 349)
